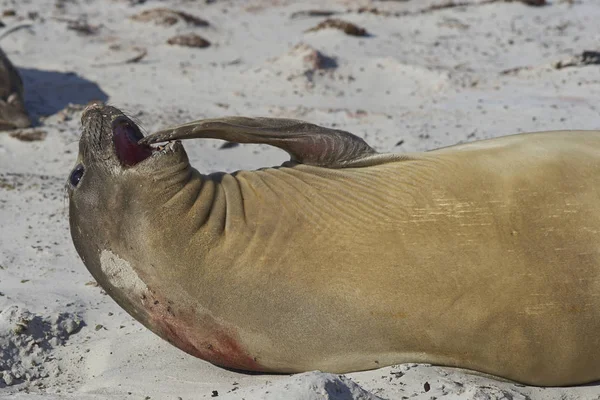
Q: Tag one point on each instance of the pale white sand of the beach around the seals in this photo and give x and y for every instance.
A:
(426, 80)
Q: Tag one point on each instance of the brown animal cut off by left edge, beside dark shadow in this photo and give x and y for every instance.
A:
(13, 114)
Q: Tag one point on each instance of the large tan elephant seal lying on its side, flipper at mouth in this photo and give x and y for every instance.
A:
(483, 256)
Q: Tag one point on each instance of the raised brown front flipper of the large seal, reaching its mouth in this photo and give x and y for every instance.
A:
(305, 143)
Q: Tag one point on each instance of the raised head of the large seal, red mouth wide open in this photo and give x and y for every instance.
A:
(117, 183)
